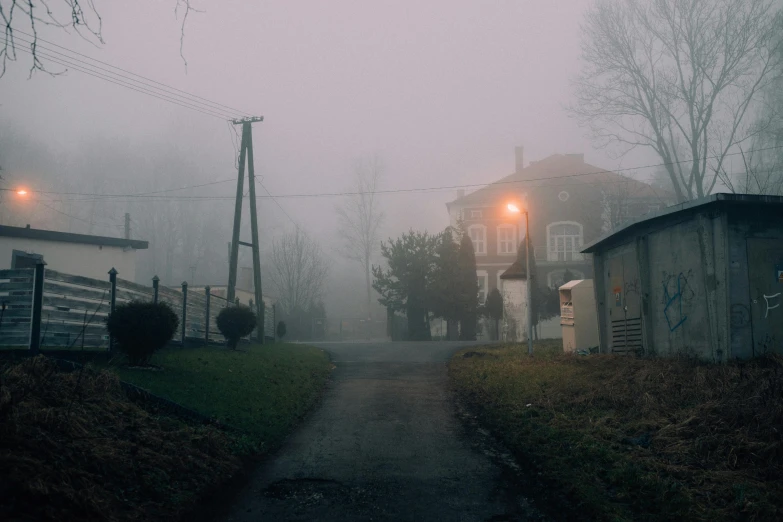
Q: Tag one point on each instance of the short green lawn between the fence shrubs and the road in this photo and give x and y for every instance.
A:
(262, 390)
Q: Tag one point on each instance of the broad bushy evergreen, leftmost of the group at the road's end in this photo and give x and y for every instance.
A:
(405, 284)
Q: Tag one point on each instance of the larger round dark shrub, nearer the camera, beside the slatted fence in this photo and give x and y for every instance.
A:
(141, 328)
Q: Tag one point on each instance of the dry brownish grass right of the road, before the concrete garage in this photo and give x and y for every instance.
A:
(638, 439)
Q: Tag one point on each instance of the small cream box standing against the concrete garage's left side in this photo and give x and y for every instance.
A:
(578, 315)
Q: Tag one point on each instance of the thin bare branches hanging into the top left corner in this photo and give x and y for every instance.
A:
(23, 20)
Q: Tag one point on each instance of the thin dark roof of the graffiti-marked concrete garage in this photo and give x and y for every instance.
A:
(714, 200)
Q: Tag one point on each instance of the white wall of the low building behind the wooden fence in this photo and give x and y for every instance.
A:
(73, 258)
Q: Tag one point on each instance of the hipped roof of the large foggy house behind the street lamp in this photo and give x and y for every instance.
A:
(554, 170)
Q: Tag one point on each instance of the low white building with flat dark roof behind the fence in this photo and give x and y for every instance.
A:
(75, 254)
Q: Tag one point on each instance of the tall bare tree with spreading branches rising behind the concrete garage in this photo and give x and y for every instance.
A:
(680, 77)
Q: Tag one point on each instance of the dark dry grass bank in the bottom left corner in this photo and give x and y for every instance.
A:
(72, 447)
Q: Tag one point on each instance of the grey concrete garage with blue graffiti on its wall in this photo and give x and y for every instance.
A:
(703, 278)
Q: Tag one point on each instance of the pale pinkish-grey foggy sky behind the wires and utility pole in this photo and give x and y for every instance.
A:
(442, 92)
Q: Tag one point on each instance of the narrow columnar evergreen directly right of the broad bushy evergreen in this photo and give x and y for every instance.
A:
(445, 295)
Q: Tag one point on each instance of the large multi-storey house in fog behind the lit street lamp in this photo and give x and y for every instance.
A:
(569, 203)
